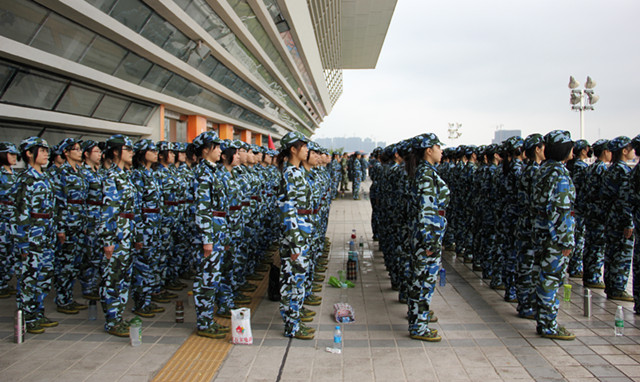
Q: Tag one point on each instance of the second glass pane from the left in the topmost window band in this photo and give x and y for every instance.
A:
(63, 38)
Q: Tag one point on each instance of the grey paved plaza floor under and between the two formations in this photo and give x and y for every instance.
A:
(482, 337)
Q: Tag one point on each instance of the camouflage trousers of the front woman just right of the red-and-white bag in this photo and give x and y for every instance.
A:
(292, 290)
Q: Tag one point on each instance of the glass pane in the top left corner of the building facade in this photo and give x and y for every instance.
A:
(20, 19)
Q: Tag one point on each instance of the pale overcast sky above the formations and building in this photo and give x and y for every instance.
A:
(495, 64)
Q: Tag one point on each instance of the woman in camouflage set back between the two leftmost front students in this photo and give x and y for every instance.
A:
(71, 190)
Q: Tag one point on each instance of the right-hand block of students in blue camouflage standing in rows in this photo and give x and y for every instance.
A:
(526, 213)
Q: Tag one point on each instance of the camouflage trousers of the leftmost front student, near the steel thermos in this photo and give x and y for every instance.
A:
(35, 275)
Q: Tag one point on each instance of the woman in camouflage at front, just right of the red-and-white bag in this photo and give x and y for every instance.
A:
(294, 201)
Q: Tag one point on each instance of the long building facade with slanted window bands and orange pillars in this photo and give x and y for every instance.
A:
(171, 69)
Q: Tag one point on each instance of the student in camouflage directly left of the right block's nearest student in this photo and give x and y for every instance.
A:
(526, 246)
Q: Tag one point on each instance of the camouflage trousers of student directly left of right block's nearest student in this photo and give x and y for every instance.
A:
(525, 281)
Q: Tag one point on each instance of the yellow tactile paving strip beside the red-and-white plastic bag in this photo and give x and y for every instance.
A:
(199, 358)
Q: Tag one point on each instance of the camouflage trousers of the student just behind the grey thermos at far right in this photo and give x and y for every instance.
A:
(593, 253)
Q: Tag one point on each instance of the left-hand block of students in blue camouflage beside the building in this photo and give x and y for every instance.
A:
(132, 220)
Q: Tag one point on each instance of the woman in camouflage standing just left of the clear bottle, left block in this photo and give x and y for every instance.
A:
(118, 234)
